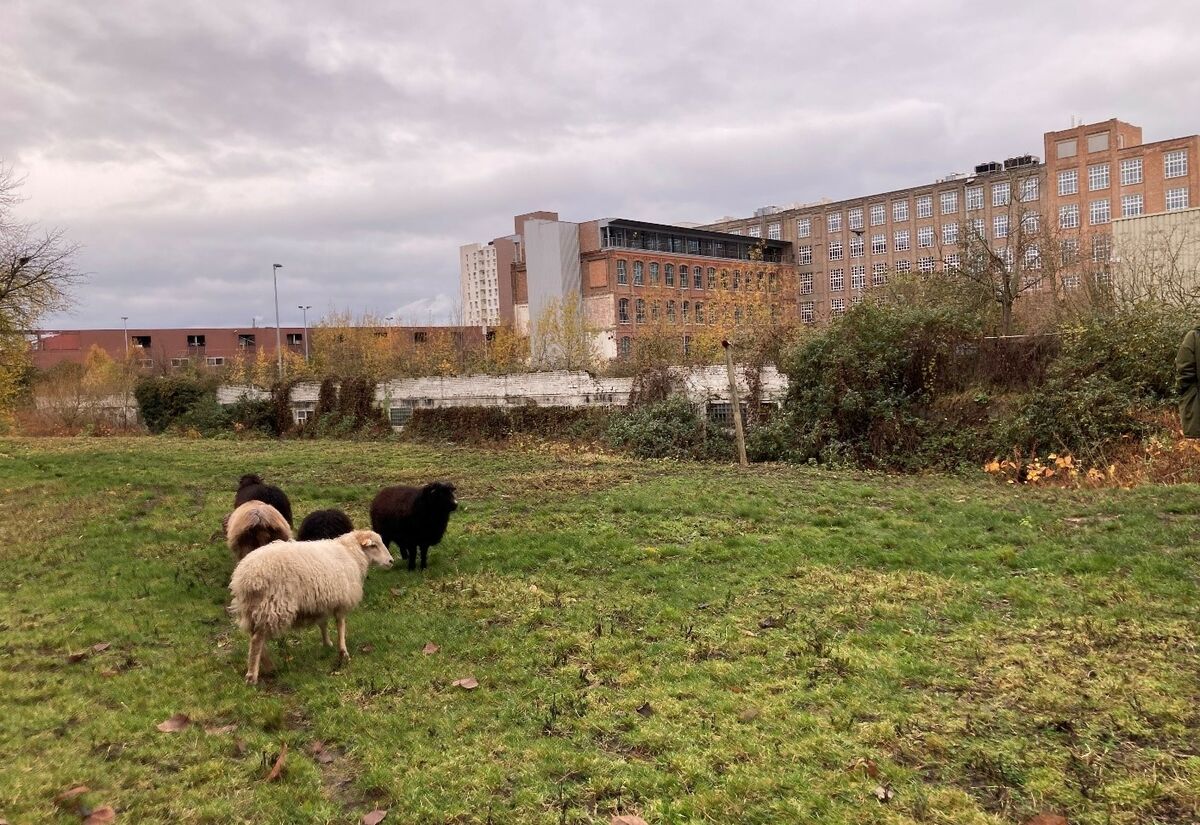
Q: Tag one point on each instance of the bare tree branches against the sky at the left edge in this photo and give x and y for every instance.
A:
(37, 267)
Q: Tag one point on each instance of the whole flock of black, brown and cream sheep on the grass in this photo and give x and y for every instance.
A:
(281, 582)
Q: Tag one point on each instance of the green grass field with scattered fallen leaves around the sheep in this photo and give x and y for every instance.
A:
(683, 642)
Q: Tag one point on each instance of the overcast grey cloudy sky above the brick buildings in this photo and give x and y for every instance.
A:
(189, 146)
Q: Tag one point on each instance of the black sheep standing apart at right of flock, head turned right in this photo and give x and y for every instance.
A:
(413, 517)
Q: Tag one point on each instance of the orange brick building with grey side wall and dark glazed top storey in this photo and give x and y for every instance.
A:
(634, 276)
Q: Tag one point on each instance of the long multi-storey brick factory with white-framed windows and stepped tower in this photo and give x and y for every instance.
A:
(1094, 174)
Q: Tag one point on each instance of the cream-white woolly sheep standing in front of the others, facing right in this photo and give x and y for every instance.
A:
(287, 585)
